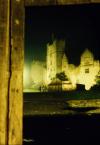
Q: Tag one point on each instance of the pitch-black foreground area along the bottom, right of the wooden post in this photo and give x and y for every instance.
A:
(62, 130)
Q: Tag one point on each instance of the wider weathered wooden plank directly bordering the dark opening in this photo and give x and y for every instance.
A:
(16, 69)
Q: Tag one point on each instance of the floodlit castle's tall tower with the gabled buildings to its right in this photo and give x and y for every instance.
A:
(57, 62)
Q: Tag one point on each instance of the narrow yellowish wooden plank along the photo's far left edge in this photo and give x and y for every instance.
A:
(4, 69)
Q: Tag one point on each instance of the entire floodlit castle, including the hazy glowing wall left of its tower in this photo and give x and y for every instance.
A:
(44, 73)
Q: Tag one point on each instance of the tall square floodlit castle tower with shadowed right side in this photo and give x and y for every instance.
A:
(55, 53)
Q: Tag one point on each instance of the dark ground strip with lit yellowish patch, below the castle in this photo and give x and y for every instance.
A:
(49, 103)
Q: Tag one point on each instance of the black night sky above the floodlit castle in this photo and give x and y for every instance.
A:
(78, 25)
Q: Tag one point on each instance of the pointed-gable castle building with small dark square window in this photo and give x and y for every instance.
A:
(89, 68)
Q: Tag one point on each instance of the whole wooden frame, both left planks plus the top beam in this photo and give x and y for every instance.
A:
(11, 65)
